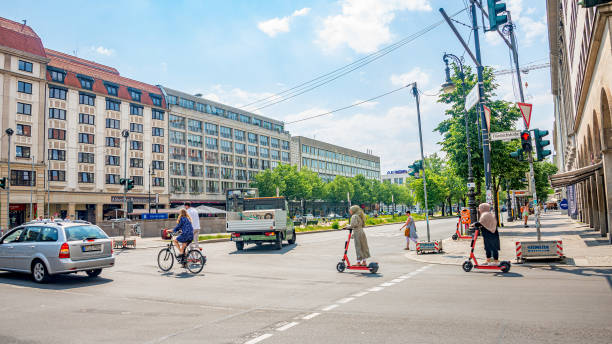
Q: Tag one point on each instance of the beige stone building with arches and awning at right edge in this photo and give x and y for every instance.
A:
(581, 82)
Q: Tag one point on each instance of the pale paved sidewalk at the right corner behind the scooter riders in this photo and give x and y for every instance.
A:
(582, 246)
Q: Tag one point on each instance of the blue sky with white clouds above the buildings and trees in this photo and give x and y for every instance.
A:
(238, 52)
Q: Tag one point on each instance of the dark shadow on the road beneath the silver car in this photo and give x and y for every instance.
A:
(57, 282)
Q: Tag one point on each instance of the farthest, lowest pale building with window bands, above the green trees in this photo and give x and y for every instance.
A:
(330, 160)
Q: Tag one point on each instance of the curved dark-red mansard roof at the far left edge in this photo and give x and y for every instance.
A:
(20, 37)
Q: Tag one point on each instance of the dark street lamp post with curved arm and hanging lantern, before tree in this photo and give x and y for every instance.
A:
(449, 86)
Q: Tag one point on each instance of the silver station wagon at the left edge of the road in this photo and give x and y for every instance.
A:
(44, 248)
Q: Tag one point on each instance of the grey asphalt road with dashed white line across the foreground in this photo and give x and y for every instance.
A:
(295, 295)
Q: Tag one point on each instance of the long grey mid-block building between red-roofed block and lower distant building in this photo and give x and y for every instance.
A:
(214, 147)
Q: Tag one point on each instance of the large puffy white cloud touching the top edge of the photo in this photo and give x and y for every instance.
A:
(364, 24)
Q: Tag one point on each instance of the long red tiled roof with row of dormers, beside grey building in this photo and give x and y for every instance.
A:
(100, 73)
